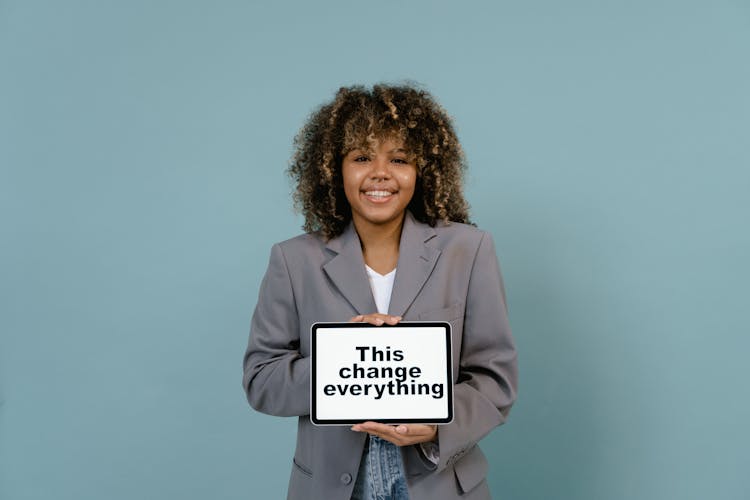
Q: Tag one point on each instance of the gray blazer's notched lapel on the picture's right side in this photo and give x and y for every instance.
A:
(416, 260)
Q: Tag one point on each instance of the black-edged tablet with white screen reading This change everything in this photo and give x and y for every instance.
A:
(391, 374)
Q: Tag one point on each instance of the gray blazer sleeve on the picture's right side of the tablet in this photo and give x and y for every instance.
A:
(488, 371)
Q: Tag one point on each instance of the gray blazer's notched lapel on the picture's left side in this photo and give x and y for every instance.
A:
(347, 271)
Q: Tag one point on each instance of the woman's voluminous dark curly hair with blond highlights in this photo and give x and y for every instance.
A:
(355, 119)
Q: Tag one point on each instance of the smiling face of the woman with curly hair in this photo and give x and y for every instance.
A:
(379, 184)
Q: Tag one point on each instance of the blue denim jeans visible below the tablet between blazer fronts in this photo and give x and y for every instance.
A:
(381, 473)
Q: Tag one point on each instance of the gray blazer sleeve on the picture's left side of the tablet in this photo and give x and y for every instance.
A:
(276, 377)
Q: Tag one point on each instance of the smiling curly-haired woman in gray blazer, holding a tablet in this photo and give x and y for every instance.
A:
(378, 178)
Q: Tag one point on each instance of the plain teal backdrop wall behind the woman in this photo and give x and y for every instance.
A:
(143, 145)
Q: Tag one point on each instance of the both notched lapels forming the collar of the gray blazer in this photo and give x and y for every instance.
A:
(417, 258)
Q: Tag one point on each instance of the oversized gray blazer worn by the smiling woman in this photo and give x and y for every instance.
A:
(446, 273)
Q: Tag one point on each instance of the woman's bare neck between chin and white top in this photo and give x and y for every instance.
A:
(380, 243)
